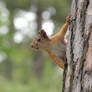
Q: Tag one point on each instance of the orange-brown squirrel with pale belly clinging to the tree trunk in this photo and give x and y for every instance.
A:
(55, 45)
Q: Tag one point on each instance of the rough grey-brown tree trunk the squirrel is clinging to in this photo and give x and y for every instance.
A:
(78, 67)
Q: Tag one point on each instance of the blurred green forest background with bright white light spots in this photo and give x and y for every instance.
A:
(21, 68)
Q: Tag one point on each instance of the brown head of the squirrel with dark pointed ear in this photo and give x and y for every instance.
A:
(41, 41)
